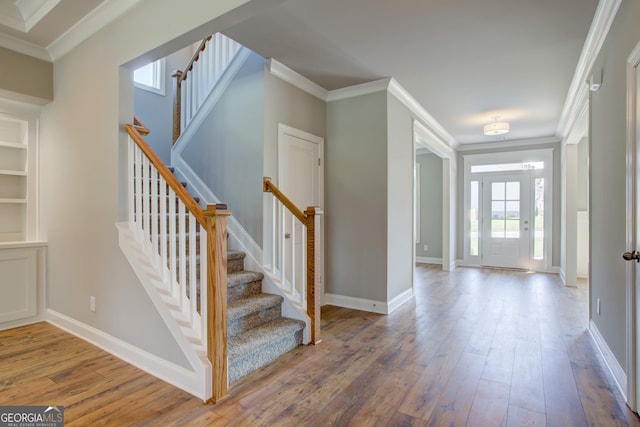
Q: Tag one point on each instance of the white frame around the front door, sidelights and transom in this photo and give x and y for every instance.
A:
(545, 155)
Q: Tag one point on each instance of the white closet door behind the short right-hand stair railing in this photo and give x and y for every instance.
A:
(299, 179)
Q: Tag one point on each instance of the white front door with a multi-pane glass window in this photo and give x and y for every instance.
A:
(506, 223)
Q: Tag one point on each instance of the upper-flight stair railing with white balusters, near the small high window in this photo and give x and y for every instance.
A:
(192, 86)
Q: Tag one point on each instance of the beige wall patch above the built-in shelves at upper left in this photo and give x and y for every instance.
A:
(26, 76)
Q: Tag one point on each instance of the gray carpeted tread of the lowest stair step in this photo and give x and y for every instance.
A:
(261, 336)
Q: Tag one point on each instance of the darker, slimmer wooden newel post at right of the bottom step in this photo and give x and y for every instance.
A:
(313, 270)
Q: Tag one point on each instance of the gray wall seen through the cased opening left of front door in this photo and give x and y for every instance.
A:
(430, 205)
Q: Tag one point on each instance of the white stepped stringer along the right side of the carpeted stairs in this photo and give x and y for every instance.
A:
(240, 240)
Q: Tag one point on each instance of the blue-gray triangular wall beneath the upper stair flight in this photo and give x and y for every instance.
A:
(227, 150)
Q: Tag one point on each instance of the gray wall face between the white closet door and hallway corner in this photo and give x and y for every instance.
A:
(356, 197)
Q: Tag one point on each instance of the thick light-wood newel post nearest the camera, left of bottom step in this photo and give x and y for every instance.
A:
(216, 227)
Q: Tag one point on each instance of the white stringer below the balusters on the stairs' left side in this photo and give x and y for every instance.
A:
(198, 381)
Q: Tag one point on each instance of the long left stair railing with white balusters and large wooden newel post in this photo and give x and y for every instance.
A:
(156, 199)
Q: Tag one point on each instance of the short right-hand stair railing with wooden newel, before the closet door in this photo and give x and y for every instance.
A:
(285, 211)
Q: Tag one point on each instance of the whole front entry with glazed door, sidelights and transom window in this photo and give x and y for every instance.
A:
(507, 209)
